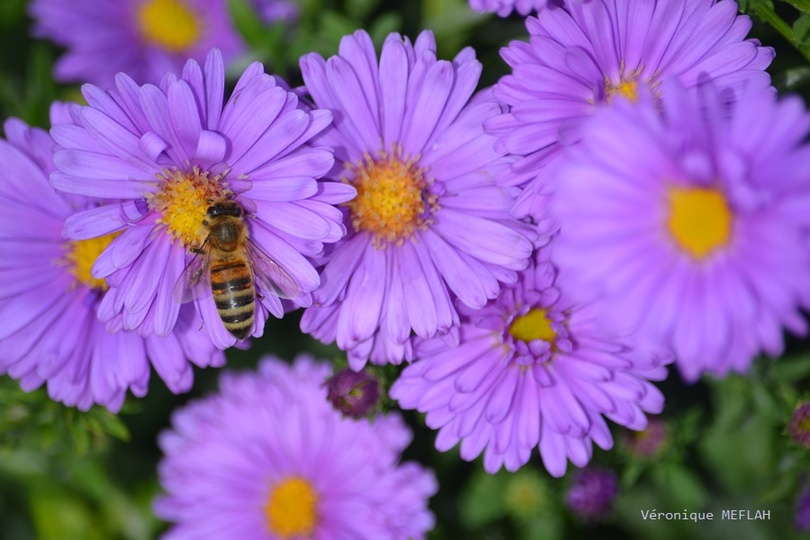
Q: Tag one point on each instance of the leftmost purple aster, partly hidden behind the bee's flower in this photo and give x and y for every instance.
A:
(49, 331)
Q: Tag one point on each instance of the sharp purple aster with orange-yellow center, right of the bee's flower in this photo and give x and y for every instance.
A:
(428, 222)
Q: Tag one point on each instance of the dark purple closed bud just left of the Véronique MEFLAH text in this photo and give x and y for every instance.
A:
(591, 493)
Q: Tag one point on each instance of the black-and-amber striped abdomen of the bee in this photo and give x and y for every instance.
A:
(234, 296)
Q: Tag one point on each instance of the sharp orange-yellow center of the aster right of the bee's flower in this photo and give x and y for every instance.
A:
(391, 201)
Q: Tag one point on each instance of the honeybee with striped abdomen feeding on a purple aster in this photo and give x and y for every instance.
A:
(232, 265)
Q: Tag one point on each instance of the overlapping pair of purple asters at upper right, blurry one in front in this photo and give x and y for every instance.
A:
(649, 138)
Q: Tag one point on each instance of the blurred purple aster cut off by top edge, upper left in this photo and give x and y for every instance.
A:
(142, 38)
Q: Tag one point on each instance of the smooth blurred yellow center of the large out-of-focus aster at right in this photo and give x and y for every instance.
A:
(699, 220)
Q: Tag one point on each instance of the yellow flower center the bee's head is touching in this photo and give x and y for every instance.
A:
(183, 201)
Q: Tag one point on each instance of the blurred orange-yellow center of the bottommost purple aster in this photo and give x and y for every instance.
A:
(292, 508)
